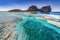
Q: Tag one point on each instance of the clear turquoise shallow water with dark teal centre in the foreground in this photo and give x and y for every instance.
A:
(31, 28)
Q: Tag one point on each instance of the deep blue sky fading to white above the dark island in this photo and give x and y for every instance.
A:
(24, 4)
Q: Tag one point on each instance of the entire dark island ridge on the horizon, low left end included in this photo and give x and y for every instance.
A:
(33, 8)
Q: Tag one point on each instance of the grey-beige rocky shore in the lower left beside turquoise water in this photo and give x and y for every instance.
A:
(7, 26)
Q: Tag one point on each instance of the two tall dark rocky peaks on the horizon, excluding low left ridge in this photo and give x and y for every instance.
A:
(43, 9)
